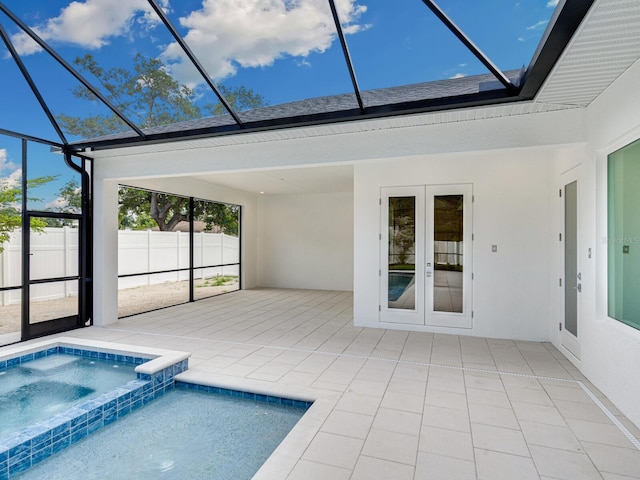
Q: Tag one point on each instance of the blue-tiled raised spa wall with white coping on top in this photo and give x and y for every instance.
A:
(155, 369)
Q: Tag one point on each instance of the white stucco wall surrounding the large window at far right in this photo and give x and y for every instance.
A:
(610, 350)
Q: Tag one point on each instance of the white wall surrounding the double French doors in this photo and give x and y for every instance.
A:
(511, 210)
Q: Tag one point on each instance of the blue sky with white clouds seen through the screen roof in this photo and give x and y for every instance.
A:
(285, 50)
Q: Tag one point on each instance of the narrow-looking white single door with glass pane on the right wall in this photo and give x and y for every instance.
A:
(571, 276)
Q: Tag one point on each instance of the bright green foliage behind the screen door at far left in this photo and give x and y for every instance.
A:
(10, 214)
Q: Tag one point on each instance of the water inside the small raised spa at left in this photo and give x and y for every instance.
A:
(39, 389)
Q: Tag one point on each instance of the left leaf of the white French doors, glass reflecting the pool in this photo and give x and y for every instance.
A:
(402, 237)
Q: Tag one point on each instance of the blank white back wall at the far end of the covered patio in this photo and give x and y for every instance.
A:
(306, 241)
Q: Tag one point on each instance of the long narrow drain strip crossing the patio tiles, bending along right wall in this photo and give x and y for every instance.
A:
(605, 410)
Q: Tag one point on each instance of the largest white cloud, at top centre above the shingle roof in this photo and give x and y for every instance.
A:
(229, 34)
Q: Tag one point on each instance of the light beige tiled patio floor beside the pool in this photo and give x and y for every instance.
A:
(392, 404)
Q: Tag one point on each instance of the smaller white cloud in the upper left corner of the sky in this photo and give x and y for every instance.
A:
(89, 24)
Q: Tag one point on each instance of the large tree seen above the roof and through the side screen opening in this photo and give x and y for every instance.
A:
(150, 96)
